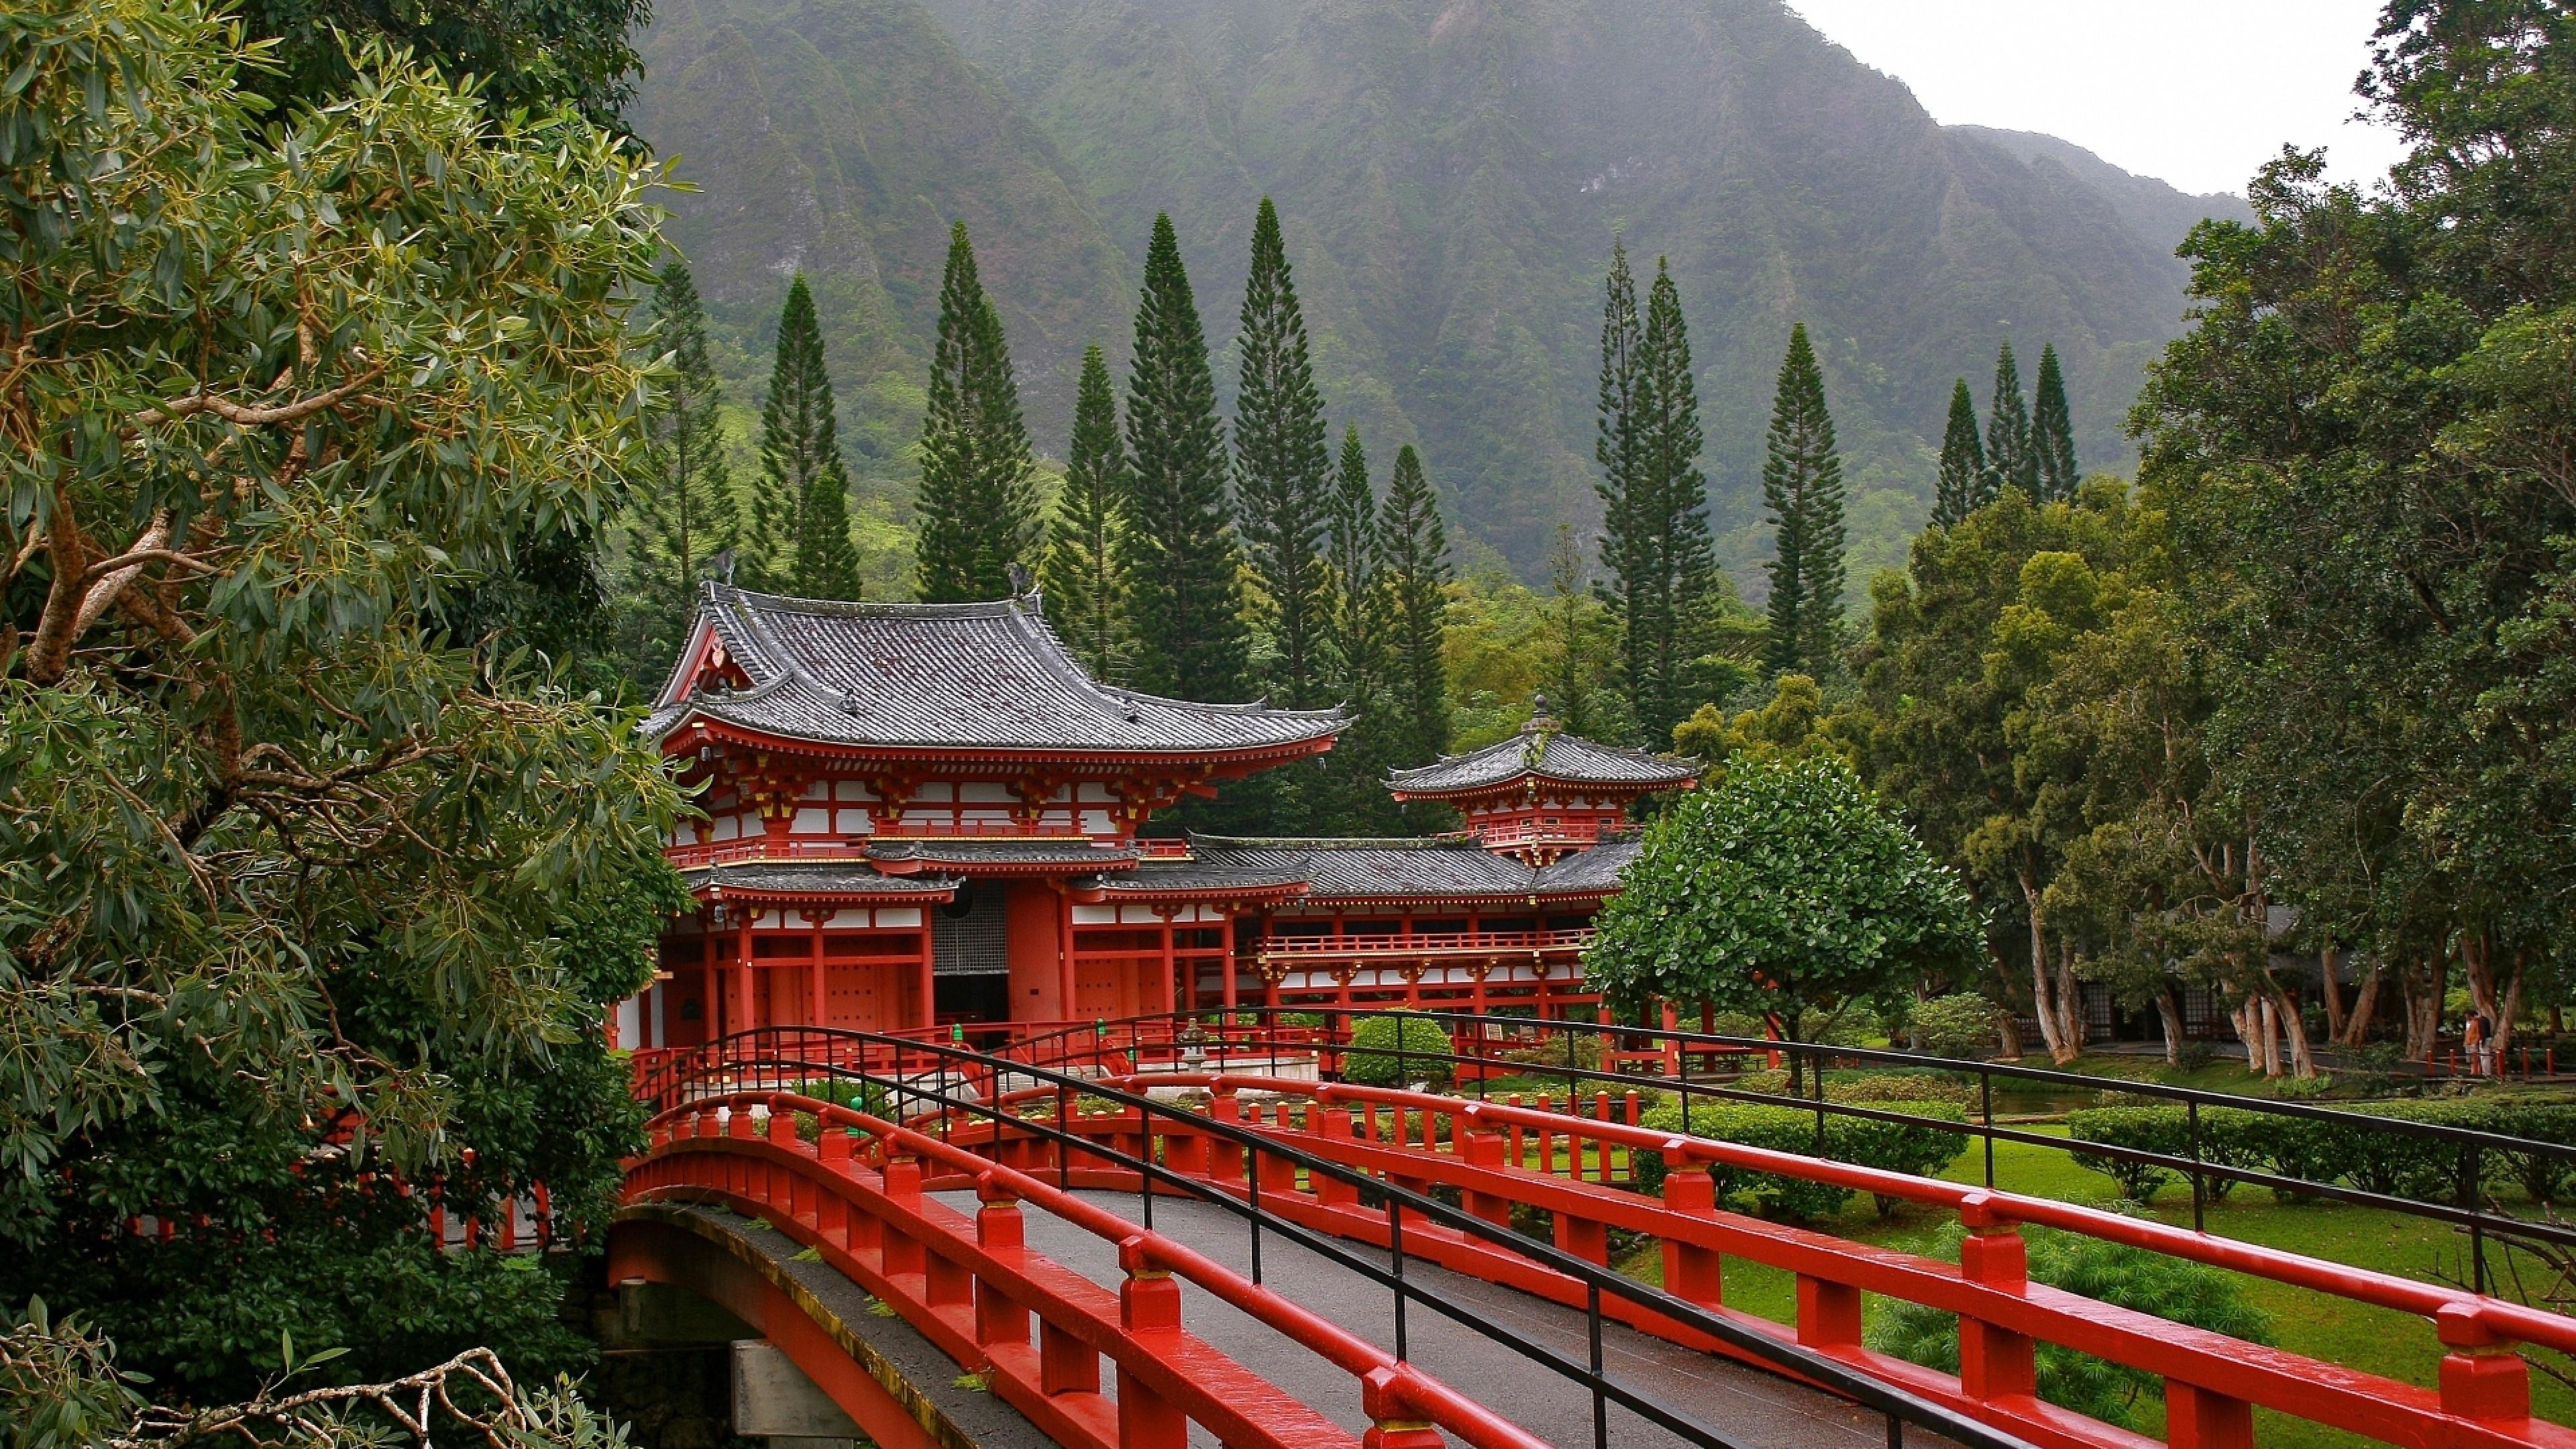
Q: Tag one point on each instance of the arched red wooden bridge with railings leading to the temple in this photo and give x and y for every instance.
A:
(1294, 1262)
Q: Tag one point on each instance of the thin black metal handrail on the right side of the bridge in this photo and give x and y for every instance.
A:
(2196, 1167)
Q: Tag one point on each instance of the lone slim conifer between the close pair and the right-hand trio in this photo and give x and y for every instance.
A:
(1802, 489)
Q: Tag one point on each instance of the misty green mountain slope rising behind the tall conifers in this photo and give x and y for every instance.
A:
(1452, 174)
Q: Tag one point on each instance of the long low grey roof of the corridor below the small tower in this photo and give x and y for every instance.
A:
(1408, 870)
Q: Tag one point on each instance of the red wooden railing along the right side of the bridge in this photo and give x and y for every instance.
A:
(2214, 1383)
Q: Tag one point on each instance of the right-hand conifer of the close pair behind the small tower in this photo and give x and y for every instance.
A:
(1671, 517)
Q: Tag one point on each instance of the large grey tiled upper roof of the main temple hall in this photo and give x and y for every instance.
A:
(949, 677)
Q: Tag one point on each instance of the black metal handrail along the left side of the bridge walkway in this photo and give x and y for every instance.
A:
(769, 1058)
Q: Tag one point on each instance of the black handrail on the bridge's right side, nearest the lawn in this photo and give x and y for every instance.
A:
(1480, 1045)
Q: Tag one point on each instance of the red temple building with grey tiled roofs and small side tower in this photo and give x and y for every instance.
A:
(926, 813)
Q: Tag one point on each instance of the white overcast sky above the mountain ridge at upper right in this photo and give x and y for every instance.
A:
(2191, 92)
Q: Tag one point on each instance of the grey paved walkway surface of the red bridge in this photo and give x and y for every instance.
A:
(1748, 1406)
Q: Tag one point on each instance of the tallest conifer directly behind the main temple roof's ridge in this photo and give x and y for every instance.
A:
(978, 504)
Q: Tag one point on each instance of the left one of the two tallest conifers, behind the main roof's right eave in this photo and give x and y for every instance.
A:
(1184, 563)
